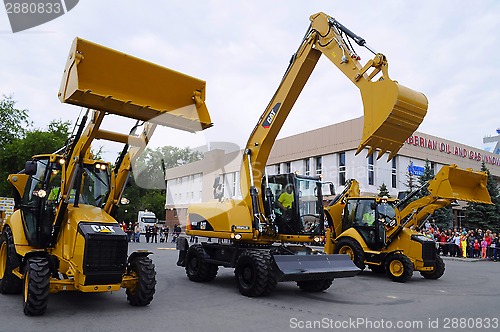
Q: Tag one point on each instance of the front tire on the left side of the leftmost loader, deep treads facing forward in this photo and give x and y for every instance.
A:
(36, 286)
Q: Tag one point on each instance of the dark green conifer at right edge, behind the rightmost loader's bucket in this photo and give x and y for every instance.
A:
(486, 215)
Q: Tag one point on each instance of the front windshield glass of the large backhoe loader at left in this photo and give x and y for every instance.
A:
(95, 186)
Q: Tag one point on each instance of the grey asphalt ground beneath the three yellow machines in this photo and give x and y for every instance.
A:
(466, 297)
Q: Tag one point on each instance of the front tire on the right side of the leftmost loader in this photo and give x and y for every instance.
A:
(142, 292)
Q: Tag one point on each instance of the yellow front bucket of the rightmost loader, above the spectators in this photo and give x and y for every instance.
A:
(452, 182)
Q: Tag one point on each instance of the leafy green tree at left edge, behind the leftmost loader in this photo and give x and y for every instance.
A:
(14, 155)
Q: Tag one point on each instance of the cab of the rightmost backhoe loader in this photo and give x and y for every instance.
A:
(369, 216)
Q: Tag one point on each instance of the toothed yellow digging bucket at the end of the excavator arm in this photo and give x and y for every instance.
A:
(392, 112)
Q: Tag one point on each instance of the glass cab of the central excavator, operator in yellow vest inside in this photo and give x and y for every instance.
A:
(295, 202)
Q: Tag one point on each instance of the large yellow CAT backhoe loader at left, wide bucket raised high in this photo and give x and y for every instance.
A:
(63, 236)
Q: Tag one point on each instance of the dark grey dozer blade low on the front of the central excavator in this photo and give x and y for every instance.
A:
(314, 267)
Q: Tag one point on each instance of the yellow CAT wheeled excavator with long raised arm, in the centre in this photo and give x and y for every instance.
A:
(269, 228)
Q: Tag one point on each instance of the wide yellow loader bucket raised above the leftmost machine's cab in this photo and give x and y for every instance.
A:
(101, 78)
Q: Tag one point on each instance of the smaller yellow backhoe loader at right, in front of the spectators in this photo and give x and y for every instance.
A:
(383, 233)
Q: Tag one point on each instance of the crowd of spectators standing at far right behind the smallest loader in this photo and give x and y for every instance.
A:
(466, 243)
